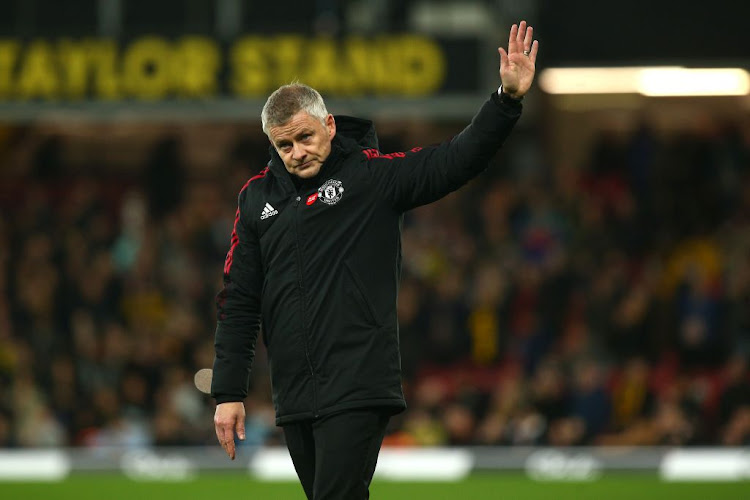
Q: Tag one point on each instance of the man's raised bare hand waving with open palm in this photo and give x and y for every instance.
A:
(517, 65)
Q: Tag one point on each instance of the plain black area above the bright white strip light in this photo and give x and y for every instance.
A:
(715, 32)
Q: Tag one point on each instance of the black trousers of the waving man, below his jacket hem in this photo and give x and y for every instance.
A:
(335, 456)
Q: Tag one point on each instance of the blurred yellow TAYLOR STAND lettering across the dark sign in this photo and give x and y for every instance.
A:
(152, 68)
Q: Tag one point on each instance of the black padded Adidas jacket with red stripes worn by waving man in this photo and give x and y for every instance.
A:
(318, 266)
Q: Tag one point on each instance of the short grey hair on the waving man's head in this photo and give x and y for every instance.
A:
(287, 101)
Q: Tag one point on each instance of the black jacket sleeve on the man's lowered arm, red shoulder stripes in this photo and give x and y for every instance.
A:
(238, 311)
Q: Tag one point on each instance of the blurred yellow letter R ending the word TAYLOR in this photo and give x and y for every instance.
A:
(196, 66)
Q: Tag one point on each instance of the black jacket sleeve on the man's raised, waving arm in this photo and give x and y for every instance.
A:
(424, 175)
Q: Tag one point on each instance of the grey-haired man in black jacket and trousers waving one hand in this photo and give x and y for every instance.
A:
(315, 258)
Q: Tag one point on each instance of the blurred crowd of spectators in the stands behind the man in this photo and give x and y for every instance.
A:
(546, 303)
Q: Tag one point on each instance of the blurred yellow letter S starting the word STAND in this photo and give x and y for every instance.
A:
(249, 68)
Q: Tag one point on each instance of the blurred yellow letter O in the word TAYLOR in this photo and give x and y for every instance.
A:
(146, 68)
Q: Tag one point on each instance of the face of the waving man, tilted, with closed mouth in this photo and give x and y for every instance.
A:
(303, 143)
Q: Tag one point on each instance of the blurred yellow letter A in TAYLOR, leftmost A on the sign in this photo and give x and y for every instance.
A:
(38, 76)
